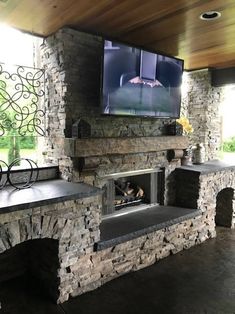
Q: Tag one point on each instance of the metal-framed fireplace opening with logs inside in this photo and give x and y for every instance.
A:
(133, 190)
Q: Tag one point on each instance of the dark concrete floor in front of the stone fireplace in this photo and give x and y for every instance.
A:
(200, 280)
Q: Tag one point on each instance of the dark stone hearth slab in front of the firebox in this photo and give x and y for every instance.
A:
(113, 230)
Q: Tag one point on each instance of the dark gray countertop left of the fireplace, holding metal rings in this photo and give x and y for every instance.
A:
(43, 193)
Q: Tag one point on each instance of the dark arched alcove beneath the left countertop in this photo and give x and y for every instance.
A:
(36, 260)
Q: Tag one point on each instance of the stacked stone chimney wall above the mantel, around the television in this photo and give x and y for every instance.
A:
(73, 63)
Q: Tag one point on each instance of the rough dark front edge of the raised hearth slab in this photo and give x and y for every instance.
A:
(101, 245)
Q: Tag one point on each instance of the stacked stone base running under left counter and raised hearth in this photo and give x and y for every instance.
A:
(75, 226)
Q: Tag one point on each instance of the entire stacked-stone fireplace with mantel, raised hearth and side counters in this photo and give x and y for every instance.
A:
(177, 204)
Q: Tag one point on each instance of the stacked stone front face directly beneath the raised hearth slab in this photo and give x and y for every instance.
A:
(92, 270)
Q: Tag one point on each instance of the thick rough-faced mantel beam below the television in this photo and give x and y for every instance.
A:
(88, 147)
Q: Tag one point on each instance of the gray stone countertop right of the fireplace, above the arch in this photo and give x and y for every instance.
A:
(209, 167)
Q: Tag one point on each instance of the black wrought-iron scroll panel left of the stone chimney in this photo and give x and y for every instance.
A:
(21, 91)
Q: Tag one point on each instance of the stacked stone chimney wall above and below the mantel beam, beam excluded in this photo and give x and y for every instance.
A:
(72, 61)
